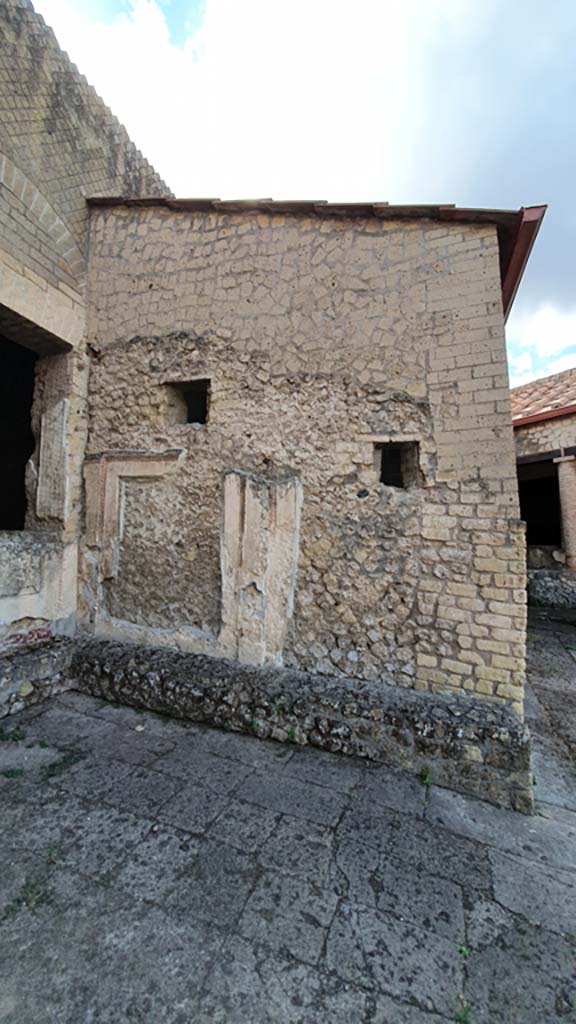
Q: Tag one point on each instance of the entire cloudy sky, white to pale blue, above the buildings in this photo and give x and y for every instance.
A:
(466, 102)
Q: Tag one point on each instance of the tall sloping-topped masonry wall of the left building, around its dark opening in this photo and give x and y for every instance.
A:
(59, 144)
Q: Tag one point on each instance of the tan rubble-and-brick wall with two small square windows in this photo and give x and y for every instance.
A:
(321, 339)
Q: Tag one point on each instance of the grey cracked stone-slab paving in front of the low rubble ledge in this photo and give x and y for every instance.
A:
(156, 872)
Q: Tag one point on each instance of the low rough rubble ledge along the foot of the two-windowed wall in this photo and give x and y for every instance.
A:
(466, 745)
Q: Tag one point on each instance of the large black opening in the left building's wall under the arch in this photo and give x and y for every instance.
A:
(17, 440)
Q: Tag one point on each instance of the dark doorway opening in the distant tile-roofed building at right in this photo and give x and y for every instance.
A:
(540, 503)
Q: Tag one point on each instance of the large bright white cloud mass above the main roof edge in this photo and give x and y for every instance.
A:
(312, 99)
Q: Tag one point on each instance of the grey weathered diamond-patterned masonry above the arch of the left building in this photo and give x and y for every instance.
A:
(59, 144)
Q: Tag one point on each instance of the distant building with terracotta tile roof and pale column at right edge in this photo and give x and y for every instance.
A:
(545, 425)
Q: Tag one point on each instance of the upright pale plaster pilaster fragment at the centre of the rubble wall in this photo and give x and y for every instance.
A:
(259, 557)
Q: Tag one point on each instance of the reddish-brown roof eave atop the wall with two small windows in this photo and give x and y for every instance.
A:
(517, 229)
